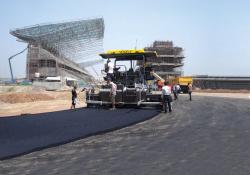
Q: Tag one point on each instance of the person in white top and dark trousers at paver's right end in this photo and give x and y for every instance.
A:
(166, 97)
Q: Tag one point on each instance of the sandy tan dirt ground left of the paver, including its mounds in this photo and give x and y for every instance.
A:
(18, 103)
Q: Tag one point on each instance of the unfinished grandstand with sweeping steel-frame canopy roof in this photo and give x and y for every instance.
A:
(62, 49)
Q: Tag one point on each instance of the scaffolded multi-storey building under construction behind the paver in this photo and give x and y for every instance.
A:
(169, 61)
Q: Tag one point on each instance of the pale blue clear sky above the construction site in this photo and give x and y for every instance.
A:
(215, 34)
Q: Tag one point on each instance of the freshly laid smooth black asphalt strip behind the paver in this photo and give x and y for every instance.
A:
(24, 134)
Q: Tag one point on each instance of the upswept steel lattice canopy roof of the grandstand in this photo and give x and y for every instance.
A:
(76, 40)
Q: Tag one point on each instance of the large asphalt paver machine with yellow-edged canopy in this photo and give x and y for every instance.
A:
(131, 74)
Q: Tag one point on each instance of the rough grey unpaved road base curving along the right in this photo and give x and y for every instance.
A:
(207, 136)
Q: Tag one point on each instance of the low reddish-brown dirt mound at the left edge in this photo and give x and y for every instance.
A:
(24, 97)
